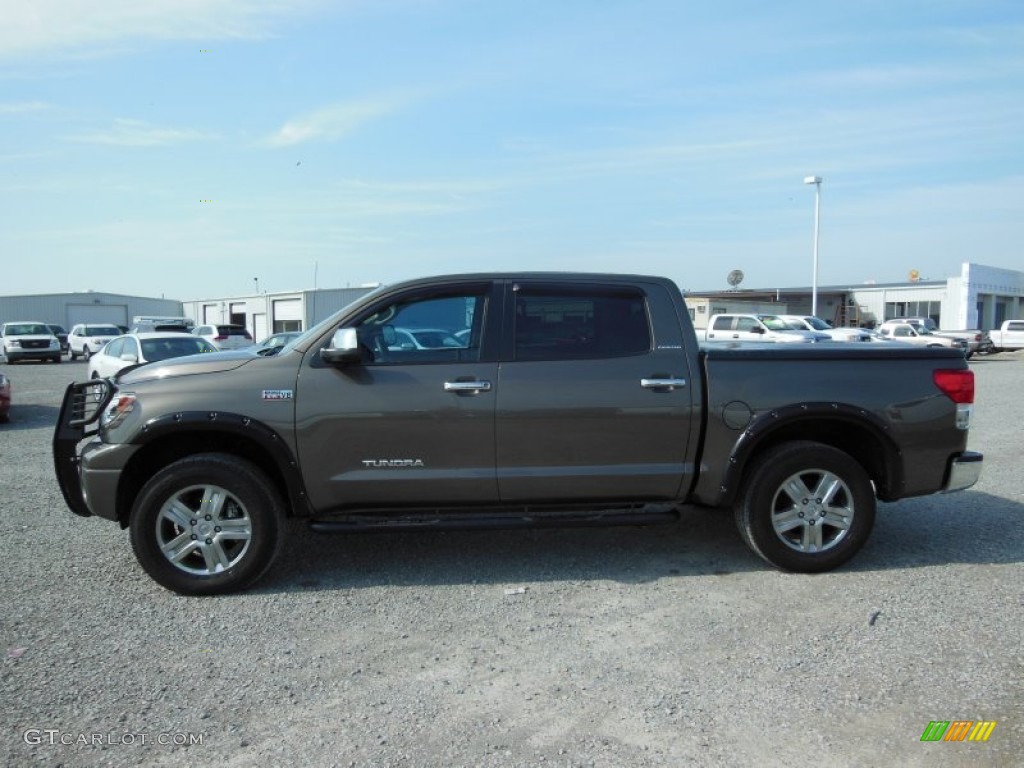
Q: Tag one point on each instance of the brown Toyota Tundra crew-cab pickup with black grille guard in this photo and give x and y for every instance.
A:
(498, 401)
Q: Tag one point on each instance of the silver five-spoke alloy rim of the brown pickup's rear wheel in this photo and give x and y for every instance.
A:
(813, 511)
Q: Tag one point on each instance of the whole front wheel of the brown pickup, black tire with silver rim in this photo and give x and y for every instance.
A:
(210, 560)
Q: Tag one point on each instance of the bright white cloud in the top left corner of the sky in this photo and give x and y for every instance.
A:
(34, 26)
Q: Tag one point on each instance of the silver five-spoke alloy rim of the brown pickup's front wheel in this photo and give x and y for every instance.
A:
(204, 530)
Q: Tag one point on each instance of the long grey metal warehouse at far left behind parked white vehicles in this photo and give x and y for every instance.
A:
(92, 307)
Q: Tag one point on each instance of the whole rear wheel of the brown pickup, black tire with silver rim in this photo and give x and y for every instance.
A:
(806, 507)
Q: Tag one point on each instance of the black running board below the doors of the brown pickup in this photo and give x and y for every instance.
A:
(371, 523)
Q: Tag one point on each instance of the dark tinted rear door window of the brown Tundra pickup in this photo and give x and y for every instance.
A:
(564, 325)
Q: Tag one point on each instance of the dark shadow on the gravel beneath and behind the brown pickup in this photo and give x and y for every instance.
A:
(973, 528)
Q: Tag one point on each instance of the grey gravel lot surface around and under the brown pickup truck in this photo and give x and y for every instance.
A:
(662, 647)
